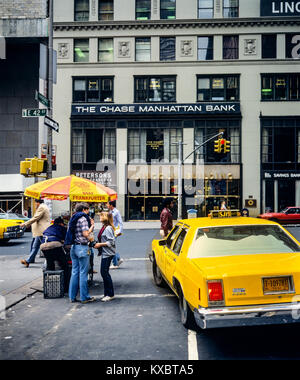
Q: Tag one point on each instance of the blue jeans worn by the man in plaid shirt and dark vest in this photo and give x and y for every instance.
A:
(80, 269)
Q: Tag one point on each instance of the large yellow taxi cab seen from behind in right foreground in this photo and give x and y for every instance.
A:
(229, 270)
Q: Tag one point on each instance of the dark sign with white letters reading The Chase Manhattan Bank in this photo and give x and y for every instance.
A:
(152, 109)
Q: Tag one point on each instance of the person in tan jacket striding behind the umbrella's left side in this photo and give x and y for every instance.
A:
(39, 222)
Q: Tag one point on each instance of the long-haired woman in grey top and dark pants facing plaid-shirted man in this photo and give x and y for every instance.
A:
(107, 247)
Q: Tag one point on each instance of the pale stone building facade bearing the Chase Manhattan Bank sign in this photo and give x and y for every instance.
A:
(138, 77)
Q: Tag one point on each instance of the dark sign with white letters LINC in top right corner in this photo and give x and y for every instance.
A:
(279, 8)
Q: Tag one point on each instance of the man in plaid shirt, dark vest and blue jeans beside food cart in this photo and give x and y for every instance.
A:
(80, 227)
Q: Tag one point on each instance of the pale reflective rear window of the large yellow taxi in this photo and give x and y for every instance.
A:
(241, 240)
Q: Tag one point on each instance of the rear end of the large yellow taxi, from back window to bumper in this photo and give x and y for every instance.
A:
(251, 272)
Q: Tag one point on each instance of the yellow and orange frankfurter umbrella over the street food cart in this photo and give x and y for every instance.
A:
(76, 188)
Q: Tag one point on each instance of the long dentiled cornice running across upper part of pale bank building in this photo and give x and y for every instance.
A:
(177, 24)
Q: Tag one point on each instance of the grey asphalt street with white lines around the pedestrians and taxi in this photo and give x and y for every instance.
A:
(143, 322)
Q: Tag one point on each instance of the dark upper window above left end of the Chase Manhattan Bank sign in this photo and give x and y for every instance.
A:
(93, 89)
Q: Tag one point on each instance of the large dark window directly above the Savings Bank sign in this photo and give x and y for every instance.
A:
(280, 143)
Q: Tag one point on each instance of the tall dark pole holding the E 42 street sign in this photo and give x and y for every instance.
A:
(50, 89)
